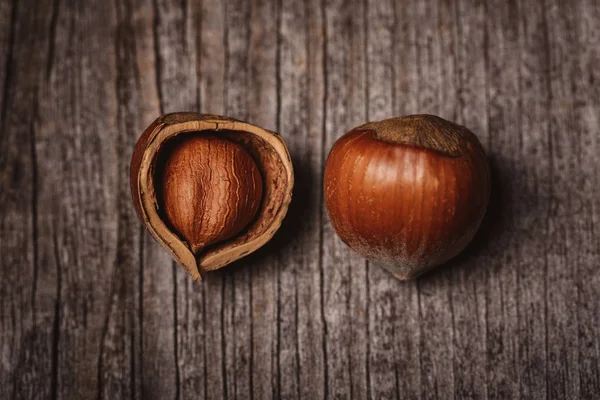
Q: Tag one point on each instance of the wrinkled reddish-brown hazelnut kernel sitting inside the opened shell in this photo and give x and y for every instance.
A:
(210, 188)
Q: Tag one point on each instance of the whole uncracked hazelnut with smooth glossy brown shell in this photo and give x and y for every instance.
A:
(408, 193)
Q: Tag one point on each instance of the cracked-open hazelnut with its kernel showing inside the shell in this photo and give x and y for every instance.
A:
(209, 188)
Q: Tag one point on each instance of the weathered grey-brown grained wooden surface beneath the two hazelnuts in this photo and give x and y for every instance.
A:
(92, 308)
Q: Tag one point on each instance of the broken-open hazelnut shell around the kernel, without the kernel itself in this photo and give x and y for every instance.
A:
(268, 151)
